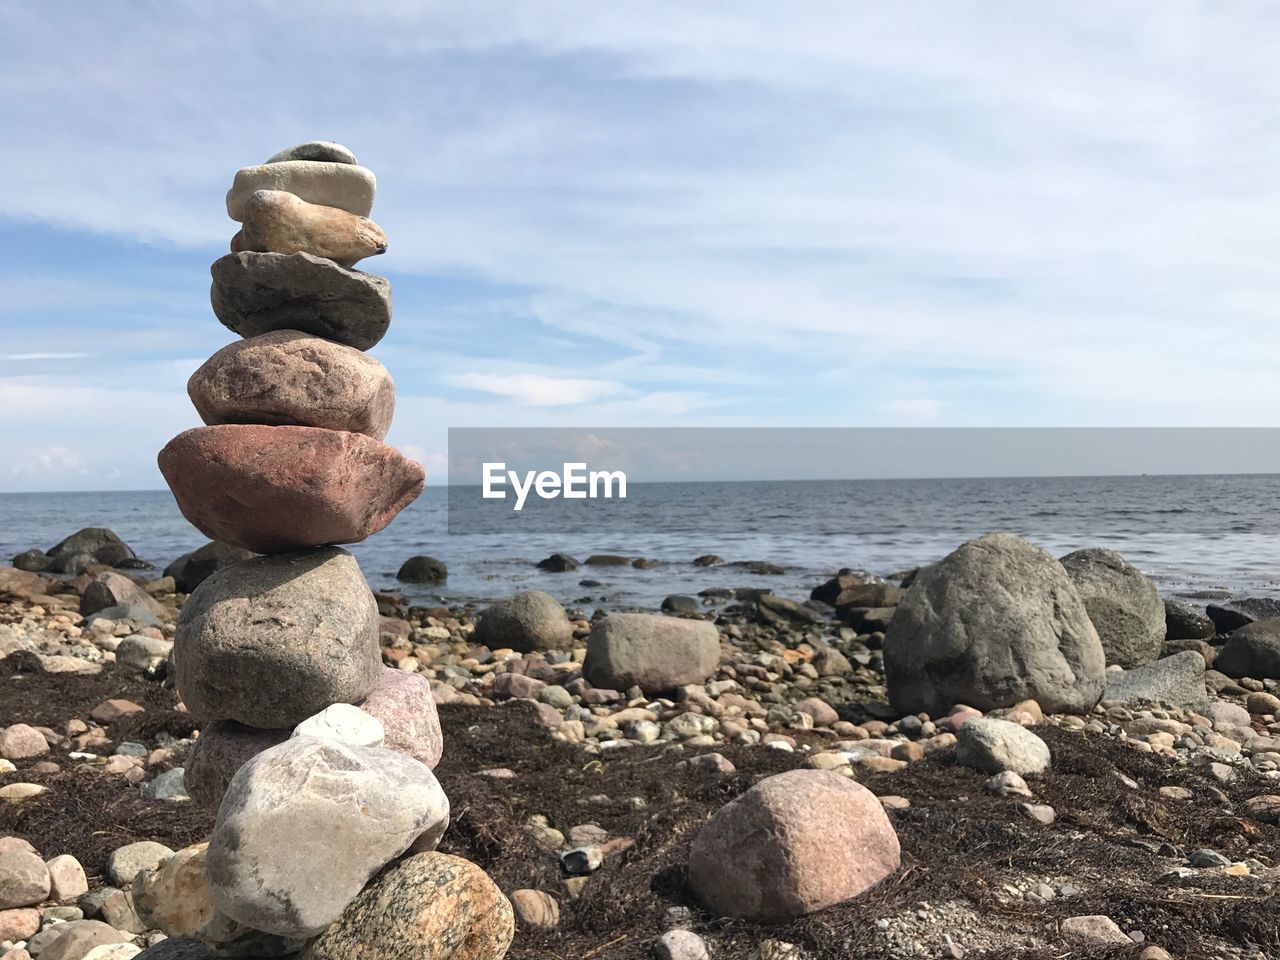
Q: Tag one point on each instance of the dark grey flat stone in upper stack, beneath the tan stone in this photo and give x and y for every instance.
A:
(257, 294)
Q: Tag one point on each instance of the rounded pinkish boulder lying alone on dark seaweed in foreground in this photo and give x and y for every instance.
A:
(793, 844)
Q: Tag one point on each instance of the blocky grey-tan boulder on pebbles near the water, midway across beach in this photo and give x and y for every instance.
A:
(651, 652)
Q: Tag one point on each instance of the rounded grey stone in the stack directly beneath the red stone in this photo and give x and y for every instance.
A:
(273, 641)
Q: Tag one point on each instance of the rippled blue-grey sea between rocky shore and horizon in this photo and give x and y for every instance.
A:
(1197, 537)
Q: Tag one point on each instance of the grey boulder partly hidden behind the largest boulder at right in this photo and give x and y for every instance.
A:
(1124, 606)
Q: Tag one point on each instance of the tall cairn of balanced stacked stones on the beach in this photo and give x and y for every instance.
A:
(317, 757)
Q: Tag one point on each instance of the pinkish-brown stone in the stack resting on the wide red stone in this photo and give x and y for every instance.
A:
(287, 377)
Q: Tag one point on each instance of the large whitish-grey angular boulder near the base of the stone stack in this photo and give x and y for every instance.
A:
(308, 824)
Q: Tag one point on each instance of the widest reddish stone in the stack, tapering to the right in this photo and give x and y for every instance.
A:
(272, 490)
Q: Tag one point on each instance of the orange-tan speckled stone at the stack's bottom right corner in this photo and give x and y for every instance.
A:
(428, 906)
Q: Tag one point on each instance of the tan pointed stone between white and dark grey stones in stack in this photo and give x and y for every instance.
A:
(277, 222)
